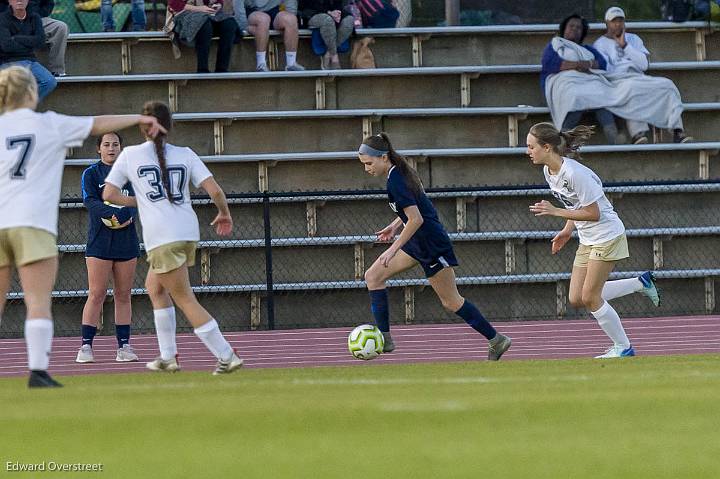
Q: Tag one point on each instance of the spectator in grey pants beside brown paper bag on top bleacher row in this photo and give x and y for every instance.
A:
(335, 24)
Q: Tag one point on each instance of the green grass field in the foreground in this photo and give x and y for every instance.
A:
(646, 417)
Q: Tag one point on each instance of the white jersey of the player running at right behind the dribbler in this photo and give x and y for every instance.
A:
(577, 186)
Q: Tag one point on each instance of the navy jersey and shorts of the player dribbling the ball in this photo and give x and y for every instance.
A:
(430, 245)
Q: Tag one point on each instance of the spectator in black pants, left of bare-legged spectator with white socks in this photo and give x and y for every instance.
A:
(194, 23)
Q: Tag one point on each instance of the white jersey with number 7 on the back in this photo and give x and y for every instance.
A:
(32, 153)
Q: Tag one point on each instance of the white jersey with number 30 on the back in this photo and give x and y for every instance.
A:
(162, 221)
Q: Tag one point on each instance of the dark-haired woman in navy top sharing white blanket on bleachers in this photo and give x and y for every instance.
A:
(572, 31)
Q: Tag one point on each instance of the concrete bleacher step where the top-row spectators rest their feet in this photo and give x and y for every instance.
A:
(426, 87)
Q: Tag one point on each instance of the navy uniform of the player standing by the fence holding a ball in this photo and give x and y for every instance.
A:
(103, 242)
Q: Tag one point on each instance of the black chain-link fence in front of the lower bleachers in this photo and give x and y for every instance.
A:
(298, 259)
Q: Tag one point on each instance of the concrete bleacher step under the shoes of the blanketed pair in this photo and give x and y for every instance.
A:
(441, 168)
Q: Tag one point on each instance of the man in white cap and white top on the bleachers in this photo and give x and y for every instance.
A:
(625, 53)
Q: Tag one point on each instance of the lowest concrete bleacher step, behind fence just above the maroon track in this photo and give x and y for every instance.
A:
(415, 304)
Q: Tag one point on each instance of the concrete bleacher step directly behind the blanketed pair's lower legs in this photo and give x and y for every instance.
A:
(309, 130)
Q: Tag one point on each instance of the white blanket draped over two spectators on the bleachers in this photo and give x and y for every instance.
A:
(633, 96)
